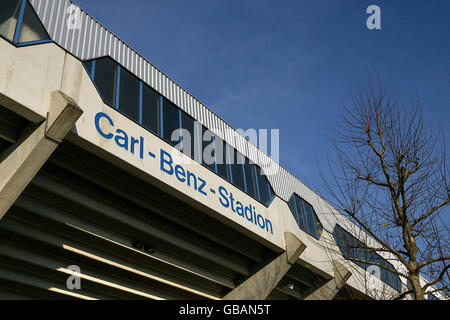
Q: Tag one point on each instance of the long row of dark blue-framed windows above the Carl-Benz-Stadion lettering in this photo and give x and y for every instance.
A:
(138, 101)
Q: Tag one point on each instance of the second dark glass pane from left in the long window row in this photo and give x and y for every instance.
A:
(129, 95)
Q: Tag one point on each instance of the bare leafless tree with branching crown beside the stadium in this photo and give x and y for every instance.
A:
(390, 177)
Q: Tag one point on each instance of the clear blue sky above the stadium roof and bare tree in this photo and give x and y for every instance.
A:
(284, 64)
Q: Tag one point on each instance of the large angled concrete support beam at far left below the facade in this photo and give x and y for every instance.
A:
(22, 161)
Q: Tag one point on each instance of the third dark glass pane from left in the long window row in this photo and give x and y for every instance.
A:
(150, 109)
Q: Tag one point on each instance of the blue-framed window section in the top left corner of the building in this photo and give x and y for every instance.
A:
(20, 24)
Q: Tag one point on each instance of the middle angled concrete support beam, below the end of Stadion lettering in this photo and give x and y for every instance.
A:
(261, 284)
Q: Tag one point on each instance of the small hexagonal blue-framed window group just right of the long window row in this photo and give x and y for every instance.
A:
(305, 216)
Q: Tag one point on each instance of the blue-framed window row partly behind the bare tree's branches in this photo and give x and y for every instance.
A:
(353, 248)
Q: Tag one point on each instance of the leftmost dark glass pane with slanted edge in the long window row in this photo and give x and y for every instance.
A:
(105, 79)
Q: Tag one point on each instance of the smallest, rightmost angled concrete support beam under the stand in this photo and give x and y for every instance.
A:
(329, 290)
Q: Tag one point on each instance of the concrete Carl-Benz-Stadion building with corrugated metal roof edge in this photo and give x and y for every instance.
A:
(94, 189)
